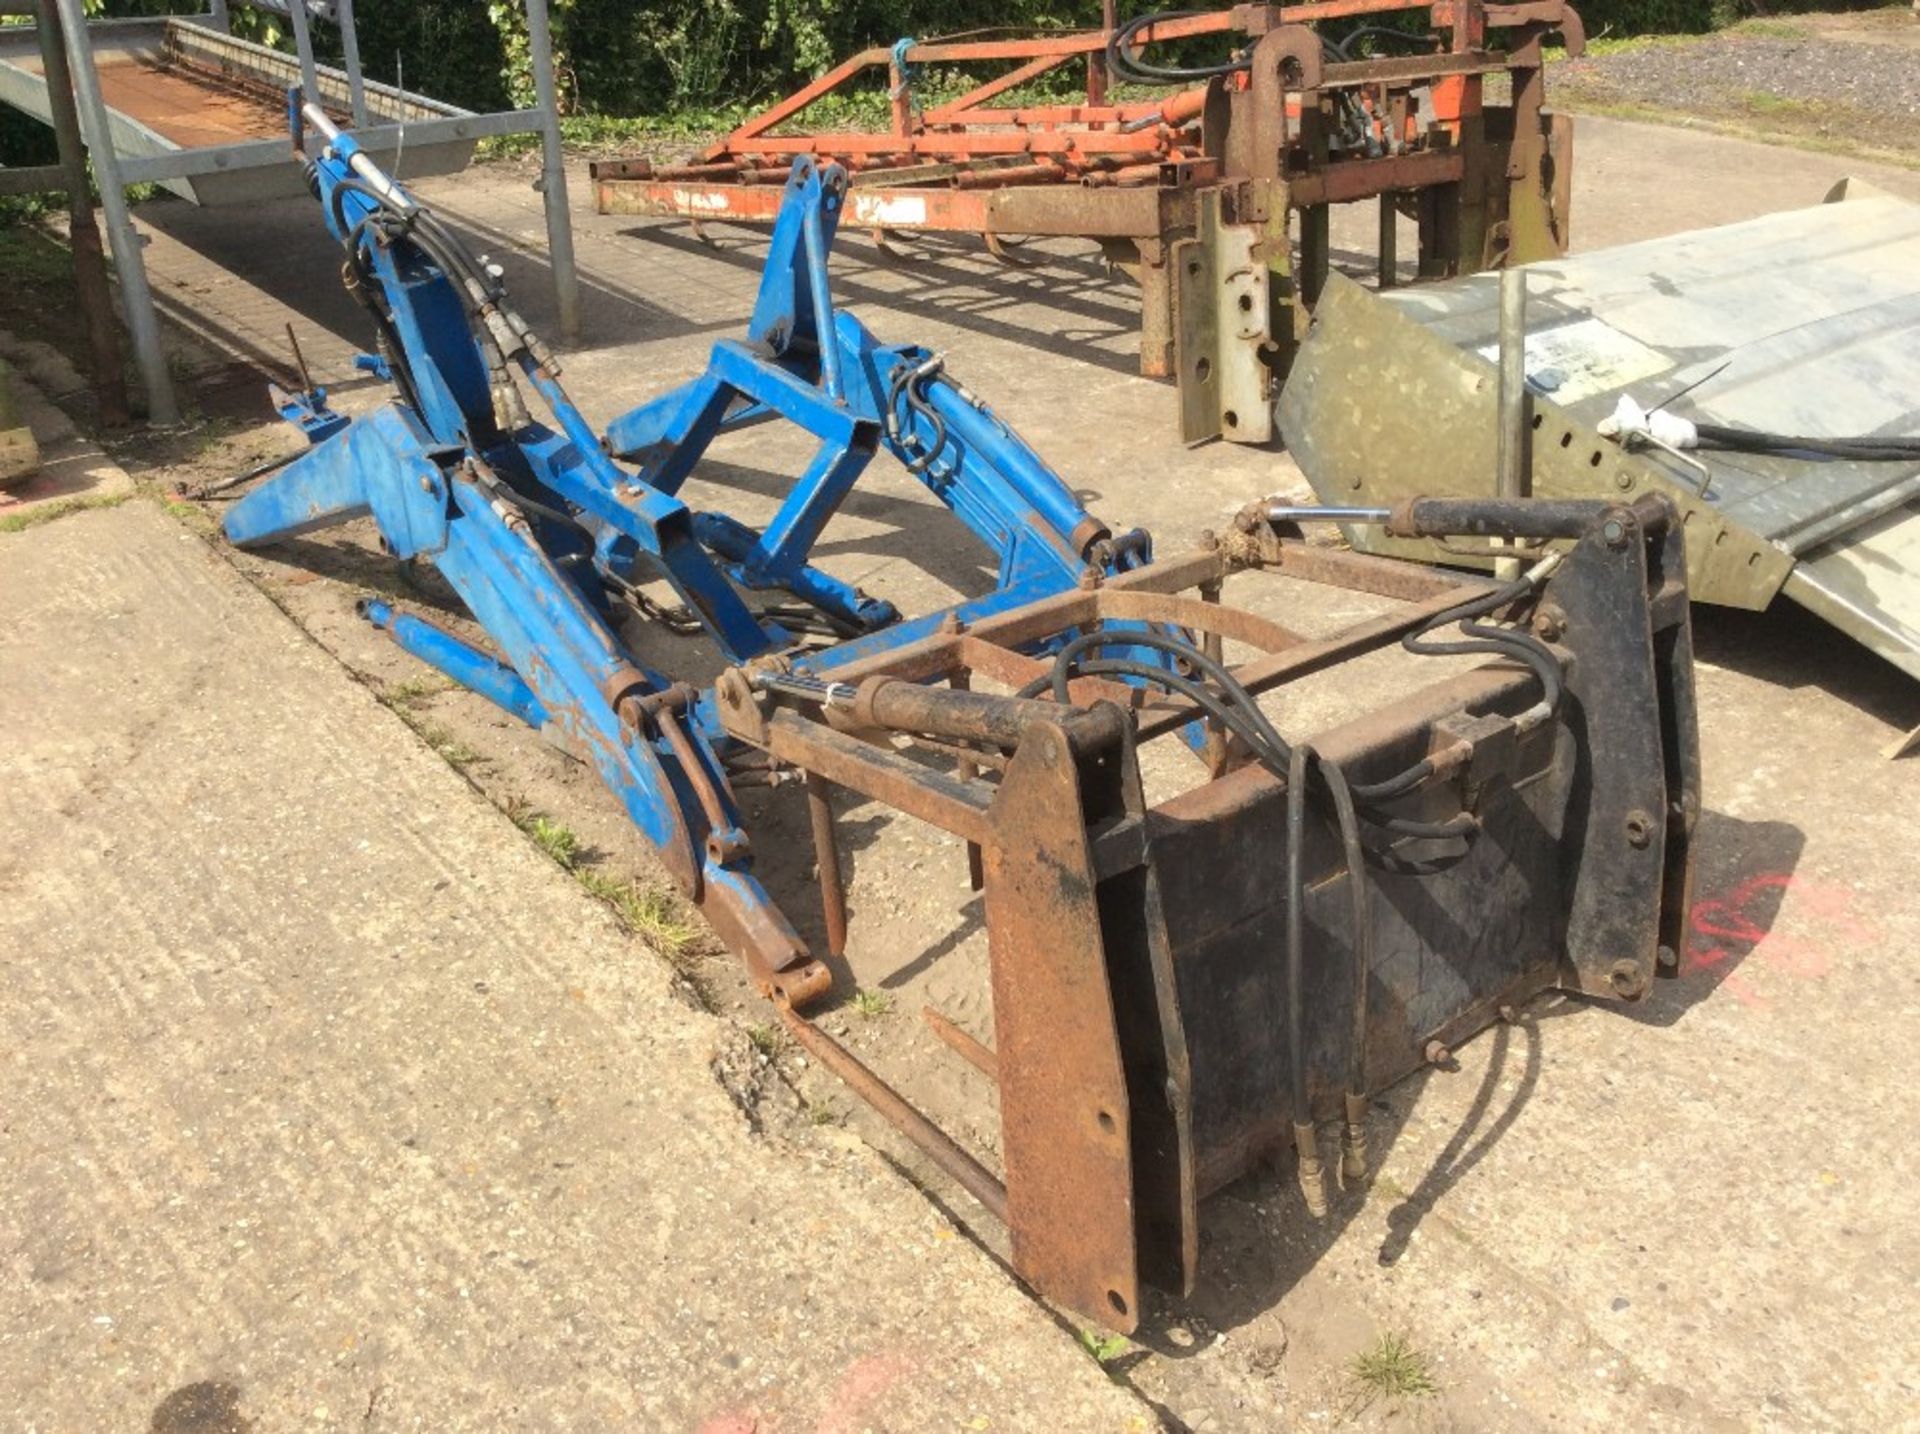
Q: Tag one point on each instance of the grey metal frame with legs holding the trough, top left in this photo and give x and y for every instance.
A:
(107, 137)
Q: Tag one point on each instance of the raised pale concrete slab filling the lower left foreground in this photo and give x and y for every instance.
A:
(331, 1103)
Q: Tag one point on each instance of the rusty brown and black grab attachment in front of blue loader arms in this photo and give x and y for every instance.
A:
(1138, 1040)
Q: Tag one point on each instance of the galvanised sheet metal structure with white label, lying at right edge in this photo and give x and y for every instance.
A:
(1796, 323)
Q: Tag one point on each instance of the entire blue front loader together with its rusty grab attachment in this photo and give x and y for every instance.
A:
(1182, 986)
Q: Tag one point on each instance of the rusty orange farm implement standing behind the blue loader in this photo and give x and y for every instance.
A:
(1207, 185)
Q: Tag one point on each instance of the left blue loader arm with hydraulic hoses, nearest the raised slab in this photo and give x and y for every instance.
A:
(533, 527)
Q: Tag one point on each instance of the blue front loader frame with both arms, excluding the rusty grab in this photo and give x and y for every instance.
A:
(542, 529)
